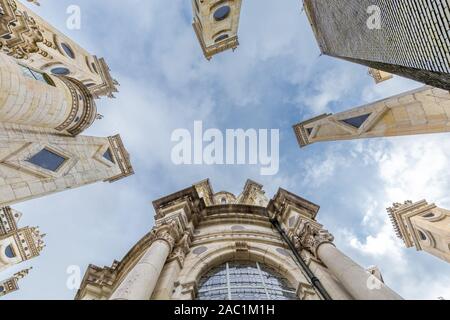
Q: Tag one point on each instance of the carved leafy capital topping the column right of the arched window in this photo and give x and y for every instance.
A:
(311, 236)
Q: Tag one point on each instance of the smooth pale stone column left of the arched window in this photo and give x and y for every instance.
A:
(140, 282)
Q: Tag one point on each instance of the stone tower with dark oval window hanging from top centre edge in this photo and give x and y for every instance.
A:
(216, 25)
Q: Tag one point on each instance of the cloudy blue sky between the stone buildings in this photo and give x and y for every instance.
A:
(275, 79)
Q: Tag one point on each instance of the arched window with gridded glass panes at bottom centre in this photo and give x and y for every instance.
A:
(244, 281)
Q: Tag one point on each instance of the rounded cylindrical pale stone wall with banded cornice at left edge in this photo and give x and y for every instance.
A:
(37, 99)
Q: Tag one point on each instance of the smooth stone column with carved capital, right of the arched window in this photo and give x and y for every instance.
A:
(358, 282)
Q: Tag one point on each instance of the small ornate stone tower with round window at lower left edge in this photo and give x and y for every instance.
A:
(17, 245)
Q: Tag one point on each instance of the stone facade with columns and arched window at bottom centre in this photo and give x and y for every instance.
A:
(208, 245)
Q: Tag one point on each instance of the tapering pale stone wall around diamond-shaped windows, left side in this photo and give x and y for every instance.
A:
(83, 157)
